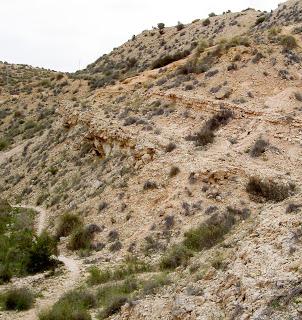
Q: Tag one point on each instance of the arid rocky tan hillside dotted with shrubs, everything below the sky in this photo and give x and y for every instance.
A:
(161, 182)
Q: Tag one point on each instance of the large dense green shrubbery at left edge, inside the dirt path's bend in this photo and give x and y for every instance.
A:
(21, 251)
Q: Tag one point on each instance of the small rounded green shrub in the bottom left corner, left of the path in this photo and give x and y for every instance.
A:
(18, 299)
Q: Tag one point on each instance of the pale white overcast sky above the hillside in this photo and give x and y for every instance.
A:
(67, 35)
